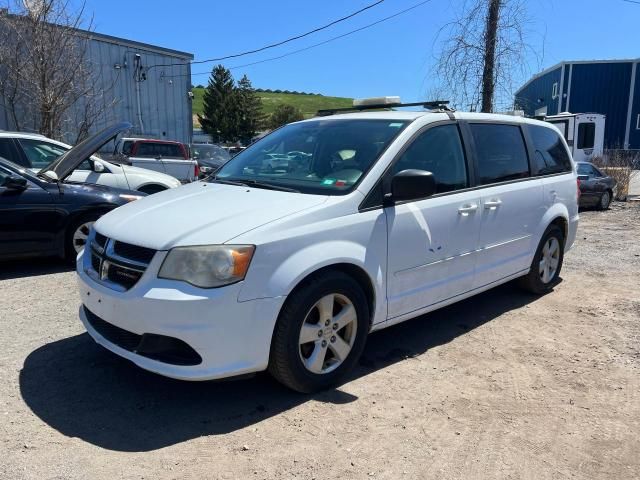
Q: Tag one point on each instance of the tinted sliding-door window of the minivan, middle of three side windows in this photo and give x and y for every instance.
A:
(501, 153)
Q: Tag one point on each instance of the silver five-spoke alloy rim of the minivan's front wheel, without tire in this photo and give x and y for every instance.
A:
(328, 333)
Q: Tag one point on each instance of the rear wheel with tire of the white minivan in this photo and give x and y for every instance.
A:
(539, 280)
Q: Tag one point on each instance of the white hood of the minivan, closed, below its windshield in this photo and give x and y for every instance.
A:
(200, 214)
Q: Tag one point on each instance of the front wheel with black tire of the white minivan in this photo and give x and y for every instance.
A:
(336, 341)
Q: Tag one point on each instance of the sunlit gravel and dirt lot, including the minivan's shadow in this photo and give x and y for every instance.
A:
(504, 385)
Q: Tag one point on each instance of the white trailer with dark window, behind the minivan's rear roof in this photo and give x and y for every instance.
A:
(584, 133)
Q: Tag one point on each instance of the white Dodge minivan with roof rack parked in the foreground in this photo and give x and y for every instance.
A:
(385, 216)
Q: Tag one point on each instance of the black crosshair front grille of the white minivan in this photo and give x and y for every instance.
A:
(118, 263)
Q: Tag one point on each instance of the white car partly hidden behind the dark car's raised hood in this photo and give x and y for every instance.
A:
(36, 152)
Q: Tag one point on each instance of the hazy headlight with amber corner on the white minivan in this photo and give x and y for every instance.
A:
(207, 266)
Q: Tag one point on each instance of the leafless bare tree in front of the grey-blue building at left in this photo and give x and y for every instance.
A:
(47, 82)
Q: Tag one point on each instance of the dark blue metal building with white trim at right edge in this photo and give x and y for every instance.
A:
(610, 87)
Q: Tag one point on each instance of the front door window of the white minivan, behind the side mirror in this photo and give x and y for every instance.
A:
(439, 151)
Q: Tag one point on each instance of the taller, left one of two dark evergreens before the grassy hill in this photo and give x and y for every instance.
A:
(219, 115)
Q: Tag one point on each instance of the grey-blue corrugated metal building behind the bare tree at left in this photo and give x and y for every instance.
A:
(165, 105)
